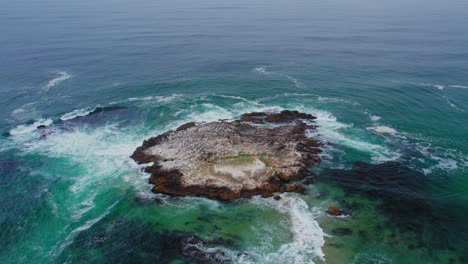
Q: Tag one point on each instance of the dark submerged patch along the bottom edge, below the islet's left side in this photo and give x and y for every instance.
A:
(124, 241)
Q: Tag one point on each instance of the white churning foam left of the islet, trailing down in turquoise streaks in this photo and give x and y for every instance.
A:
(97, 160)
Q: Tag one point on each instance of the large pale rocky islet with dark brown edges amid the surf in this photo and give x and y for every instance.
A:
(229, 160)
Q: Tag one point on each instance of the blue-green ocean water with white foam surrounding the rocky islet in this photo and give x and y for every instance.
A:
(388, 82)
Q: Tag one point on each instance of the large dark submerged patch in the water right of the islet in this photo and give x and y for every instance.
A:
(406, 201)
